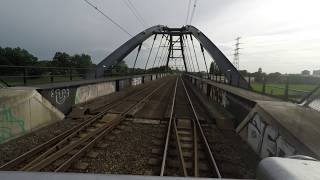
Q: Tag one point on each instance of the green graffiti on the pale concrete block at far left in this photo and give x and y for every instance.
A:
(10, 125)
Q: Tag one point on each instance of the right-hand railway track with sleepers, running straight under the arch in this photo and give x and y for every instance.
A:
(186, 150)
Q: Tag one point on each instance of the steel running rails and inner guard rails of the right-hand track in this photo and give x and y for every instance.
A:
(197, 132)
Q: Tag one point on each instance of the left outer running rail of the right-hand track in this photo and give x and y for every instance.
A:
(165, 151)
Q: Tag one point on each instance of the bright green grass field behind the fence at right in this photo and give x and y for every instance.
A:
(295, 90)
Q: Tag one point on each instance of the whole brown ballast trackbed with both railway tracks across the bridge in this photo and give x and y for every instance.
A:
(171, 132)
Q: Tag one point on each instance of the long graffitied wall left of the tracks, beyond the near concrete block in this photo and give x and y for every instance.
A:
(63, 97)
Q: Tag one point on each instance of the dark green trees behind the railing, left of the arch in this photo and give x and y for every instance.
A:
(21, 57)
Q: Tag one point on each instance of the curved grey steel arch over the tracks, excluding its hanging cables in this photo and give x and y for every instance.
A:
(221, 60)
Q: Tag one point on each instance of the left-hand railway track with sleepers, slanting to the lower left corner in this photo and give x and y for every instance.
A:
(59, 153)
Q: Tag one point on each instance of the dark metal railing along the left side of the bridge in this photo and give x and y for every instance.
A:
(32, 75)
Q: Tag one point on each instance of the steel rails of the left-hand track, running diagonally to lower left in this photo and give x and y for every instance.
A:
(45, 154)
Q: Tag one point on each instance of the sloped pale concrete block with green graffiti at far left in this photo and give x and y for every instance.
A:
(23, 111)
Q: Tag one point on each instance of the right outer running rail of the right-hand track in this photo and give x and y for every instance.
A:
(203, 137)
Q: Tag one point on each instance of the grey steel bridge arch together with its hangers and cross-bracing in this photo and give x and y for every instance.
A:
(222, 62)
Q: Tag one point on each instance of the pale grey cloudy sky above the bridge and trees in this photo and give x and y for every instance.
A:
(276, 35)
